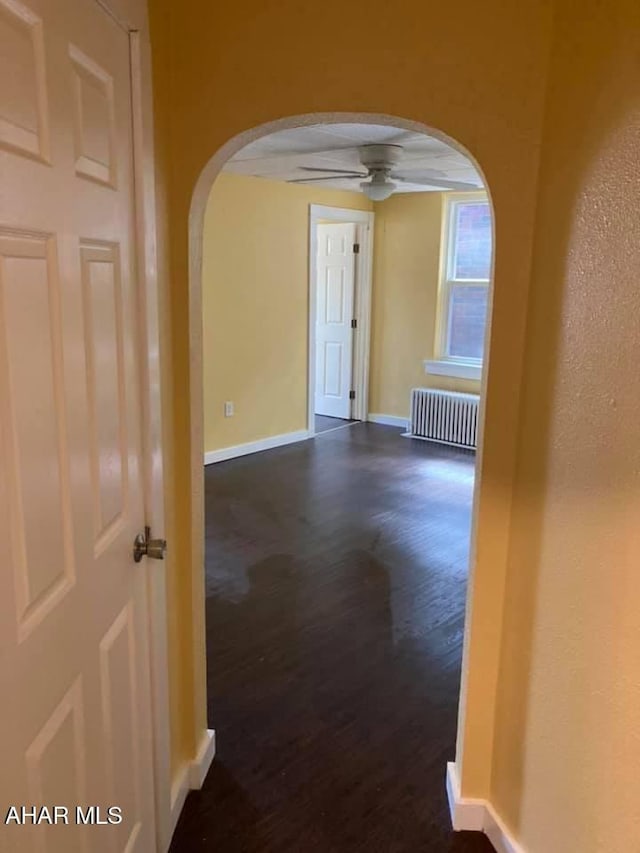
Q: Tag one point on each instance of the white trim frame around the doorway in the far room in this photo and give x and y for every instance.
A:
(362, 295)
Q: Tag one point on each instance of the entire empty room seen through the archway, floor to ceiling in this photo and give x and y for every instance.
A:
(346, 276)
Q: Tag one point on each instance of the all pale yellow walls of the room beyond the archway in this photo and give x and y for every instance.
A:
(255, 304)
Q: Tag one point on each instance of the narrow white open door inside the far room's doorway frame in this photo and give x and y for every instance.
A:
(335, 272)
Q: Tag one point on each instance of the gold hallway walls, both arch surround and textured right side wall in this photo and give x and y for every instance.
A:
(550, 705)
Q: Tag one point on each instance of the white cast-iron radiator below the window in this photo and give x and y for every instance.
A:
(444, 416)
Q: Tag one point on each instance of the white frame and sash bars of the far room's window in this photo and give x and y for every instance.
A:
(446, 284)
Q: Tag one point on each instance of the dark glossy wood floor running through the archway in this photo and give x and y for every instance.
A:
(336, 573)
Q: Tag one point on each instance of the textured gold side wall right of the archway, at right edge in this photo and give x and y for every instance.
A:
(567, 752)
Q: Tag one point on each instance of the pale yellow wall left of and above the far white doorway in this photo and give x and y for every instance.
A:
(255, 305)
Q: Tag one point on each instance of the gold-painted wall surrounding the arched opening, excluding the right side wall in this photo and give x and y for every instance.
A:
(224, 68)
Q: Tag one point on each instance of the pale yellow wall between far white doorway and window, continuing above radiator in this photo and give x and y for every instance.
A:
(407, 239)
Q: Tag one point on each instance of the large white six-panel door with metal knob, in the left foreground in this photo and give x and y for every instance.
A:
(74, 672)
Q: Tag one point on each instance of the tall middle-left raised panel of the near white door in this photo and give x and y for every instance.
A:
(31, 369)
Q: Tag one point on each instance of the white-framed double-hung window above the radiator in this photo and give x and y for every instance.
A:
(466, 269)
